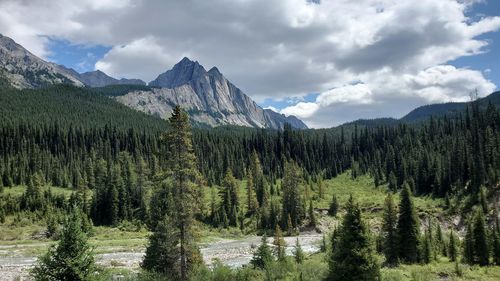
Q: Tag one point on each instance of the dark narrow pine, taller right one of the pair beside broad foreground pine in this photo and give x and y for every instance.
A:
(408, 228)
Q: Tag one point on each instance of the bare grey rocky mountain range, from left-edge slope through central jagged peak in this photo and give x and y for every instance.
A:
(210, 99)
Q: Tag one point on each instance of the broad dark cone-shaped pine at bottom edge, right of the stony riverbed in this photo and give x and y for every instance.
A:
(353, 256)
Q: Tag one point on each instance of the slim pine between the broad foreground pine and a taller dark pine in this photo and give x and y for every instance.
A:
(389, 231)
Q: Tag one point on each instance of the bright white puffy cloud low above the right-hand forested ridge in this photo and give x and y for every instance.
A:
(385, 94)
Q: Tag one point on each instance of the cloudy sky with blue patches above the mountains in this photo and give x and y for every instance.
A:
(326, 62)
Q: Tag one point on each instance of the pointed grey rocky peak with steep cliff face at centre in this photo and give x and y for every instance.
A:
(208, 97)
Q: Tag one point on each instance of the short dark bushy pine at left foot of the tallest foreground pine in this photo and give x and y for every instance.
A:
(162, 252)
